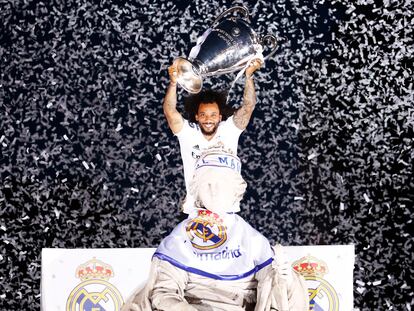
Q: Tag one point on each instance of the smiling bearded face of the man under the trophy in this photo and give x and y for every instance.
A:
(208, 118)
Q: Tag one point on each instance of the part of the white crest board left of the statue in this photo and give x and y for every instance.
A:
(92, 279)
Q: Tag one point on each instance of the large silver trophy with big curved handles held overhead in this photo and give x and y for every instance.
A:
(227, 46)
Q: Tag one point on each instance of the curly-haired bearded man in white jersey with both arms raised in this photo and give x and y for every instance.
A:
(210, 128)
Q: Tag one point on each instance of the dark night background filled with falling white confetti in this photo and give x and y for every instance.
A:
(87, 159)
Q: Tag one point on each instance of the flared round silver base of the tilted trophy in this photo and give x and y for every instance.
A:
(187, 76)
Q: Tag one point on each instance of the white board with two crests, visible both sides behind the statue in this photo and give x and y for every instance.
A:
(102, 279)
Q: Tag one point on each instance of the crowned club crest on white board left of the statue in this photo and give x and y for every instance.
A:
(94, 293)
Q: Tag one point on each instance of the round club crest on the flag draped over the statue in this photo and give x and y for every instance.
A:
(206, 231)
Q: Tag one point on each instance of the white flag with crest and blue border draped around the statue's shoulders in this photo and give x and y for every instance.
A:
(218, 247)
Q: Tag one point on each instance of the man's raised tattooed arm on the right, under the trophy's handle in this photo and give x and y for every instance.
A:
(243, 114)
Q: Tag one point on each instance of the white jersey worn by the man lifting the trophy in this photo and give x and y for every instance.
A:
(193, 143)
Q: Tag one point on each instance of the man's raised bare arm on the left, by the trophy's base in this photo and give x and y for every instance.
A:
(174, 118)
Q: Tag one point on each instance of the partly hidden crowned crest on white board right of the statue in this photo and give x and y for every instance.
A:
(322, 295)
